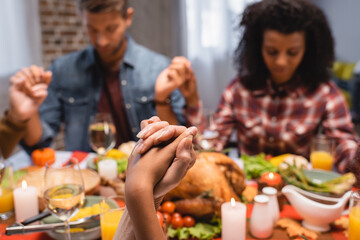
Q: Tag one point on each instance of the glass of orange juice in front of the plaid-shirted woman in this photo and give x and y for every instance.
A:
(322, 152)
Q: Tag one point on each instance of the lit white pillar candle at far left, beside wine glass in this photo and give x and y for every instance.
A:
(25, 202)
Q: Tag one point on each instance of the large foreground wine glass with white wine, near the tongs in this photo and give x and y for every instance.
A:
(64, 191)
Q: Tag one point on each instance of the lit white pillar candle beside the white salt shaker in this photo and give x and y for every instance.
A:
(233, 217)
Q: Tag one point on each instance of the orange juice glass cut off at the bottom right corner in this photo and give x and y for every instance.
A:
(354, 216)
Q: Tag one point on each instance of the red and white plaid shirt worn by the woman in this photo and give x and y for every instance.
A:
(282, 120)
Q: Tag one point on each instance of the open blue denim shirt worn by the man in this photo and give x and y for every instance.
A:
(75, 89)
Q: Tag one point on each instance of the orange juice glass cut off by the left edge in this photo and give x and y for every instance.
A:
(6, 194)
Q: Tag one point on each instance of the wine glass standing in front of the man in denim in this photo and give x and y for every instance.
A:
(102, 133)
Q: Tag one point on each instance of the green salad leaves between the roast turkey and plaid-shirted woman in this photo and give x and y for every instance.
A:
(255, 166)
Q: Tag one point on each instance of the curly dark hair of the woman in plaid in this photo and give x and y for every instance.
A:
(284, 16)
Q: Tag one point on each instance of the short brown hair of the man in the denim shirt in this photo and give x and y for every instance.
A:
(101, 6)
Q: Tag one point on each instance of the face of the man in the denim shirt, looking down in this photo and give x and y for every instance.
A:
(107, 32)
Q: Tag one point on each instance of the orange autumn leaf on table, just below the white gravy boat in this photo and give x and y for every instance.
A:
(294, 229)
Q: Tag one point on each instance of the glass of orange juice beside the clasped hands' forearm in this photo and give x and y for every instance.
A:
(111, 211)
